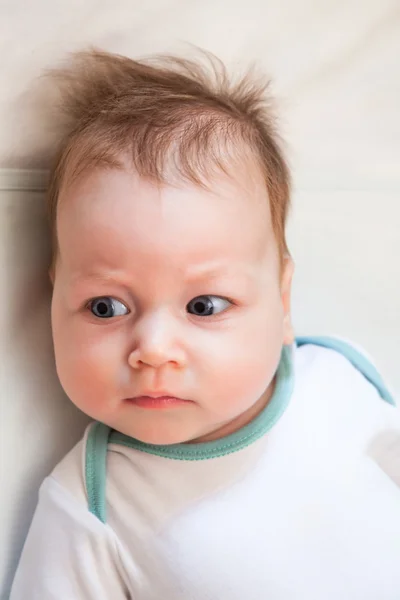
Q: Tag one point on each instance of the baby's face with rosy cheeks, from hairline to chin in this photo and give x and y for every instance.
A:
(166, 293)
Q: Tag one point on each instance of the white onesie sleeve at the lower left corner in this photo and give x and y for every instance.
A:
(69, 554)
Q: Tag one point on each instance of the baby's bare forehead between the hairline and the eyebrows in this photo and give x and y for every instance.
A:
(117, 214)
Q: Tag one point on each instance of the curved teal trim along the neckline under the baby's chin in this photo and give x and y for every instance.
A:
(235, 441)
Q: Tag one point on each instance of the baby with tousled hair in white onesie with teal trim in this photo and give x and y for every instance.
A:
(227, 459)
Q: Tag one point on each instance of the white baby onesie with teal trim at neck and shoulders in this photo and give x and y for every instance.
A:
(302, 503)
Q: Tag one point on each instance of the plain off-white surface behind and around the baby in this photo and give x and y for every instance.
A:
(335, 67)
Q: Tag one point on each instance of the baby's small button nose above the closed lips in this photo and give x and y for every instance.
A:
(156, 342)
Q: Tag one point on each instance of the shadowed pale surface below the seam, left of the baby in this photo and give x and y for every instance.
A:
(39, 423)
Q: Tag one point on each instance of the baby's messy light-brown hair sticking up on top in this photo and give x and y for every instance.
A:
(165, 113)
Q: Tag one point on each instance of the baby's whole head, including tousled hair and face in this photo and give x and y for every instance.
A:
(171, 273)
